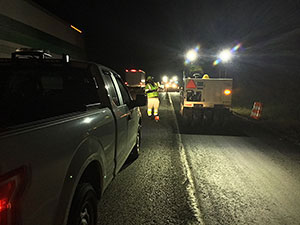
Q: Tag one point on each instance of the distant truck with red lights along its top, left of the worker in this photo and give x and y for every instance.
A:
(135, 81)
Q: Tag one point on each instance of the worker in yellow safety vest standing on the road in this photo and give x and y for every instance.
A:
(151, 90)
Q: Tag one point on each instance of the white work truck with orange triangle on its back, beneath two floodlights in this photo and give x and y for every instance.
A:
(205, 99)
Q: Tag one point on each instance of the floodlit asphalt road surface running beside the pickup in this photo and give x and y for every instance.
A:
(232, 173)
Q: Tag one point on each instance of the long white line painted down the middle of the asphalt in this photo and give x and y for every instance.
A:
(187, 172)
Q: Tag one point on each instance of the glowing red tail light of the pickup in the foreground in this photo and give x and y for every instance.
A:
(11, 189)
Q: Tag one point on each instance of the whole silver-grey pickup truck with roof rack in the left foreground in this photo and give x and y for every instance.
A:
(66, 129)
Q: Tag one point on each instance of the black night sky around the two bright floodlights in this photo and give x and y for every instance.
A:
(155, 35)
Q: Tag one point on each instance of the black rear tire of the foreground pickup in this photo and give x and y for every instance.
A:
(84, 206)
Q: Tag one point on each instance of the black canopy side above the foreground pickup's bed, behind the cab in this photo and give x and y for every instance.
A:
(32, 93)
